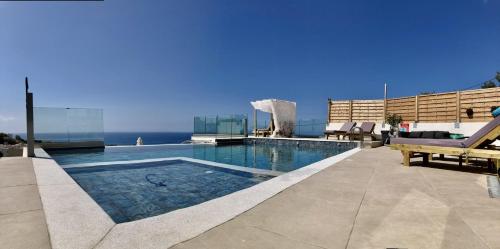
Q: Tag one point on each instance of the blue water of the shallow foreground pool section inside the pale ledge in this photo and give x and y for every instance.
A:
(129, 192)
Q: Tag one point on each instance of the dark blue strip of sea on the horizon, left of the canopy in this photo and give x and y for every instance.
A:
(122, 138)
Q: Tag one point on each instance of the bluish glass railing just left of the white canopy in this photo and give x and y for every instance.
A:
(221, 125)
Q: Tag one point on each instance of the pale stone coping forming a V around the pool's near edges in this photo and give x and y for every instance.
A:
(75, 220)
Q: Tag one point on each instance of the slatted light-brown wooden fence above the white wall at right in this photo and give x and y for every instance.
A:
(432, 108)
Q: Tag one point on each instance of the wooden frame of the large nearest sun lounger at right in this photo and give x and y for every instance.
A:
(475, 150)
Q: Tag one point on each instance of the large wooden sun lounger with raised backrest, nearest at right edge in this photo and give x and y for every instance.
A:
(474, 146)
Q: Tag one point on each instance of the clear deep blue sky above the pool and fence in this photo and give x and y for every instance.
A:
(154, 65)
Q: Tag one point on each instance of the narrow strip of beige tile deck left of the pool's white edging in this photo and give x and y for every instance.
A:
(22, 220)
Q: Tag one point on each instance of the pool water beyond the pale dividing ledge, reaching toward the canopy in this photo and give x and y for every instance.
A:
(278, 157)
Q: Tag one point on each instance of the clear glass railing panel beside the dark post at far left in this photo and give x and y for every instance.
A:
(68, 124)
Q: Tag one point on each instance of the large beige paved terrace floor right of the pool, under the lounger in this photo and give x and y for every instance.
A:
(368, 201)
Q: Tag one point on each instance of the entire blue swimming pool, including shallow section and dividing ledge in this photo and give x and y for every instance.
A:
(135, 182)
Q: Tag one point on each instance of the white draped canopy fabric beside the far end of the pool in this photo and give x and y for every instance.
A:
(283, 115)
